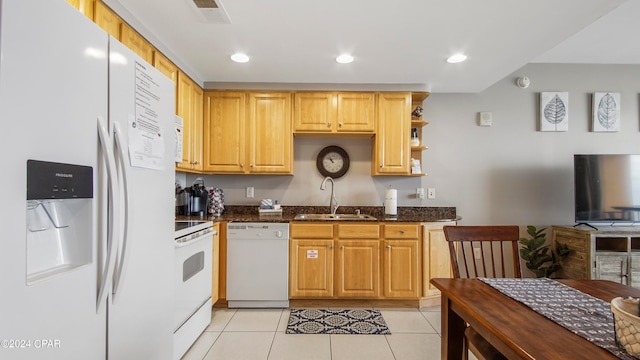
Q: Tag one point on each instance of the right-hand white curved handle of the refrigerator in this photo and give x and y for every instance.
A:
(119, 271)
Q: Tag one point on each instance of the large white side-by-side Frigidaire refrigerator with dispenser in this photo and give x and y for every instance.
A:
(86, 252)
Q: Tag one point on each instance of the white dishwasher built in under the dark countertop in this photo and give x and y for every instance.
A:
(257, 265)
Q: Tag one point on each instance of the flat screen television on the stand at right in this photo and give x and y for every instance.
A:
(607, 188)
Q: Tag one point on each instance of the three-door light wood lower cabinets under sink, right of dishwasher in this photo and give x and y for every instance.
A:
(354, 261)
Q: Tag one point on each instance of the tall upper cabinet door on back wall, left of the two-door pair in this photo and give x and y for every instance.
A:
(224, 131)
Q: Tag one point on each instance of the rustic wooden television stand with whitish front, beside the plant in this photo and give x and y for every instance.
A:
(607, 253)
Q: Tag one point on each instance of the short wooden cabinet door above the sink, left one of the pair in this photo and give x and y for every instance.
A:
(315, 112)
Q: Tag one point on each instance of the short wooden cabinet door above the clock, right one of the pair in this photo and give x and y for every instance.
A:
(356, 112)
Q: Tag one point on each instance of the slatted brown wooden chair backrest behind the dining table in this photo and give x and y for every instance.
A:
(484, 251)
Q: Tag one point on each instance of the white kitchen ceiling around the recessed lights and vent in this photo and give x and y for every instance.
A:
(399, 43)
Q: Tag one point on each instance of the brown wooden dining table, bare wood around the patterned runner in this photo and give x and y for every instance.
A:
(514, 329)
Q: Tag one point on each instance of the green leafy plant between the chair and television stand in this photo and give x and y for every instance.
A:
(540, 258)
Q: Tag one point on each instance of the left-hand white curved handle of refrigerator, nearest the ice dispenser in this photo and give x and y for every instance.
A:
(110, 164)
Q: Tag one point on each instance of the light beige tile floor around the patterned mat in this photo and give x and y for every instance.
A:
(247, 334)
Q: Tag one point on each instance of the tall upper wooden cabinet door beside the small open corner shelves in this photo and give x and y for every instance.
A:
(392, 152)
